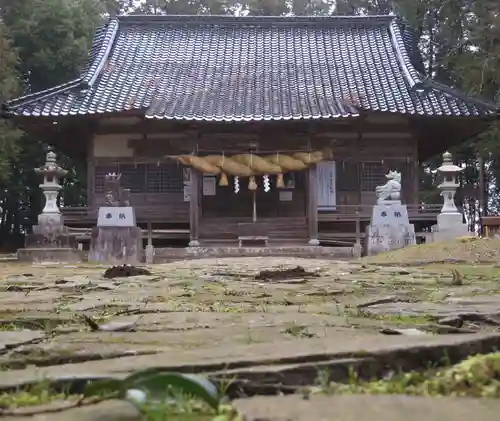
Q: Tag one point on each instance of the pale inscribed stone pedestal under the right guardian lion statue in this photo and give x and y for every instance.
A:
(389, 228)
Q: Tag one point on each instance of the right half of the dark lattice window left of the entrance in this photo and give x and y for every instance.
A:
(166, 177)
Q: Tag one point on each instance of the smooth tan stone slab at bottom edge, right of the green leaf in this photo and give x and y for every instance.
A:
(366, 408)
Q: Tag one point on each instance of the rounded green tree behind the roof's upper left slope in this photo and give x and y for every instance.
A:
(52, 37)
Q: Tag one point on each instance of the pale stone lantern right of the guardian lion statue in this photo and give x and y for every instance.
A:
(450, 221)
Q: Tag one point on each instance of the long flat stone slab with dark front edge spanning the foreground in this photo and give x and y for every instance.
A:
(216, 358)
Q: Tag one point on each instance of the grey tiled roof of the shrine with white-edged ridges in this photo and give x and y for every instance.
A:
(223, 68)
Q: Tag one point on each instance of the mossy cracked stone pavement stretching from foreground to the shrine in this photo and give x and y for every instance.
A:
(202, 315)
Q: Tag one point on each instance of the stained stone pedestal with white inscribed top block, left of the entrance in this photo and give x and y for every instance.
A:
(116, 240)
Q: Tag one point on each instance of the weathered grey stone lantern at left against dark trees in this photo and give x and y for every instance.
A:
(51, 173)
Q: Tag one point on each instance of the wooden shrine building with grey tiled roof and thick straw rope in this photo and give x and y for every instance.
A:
(284, 123)
